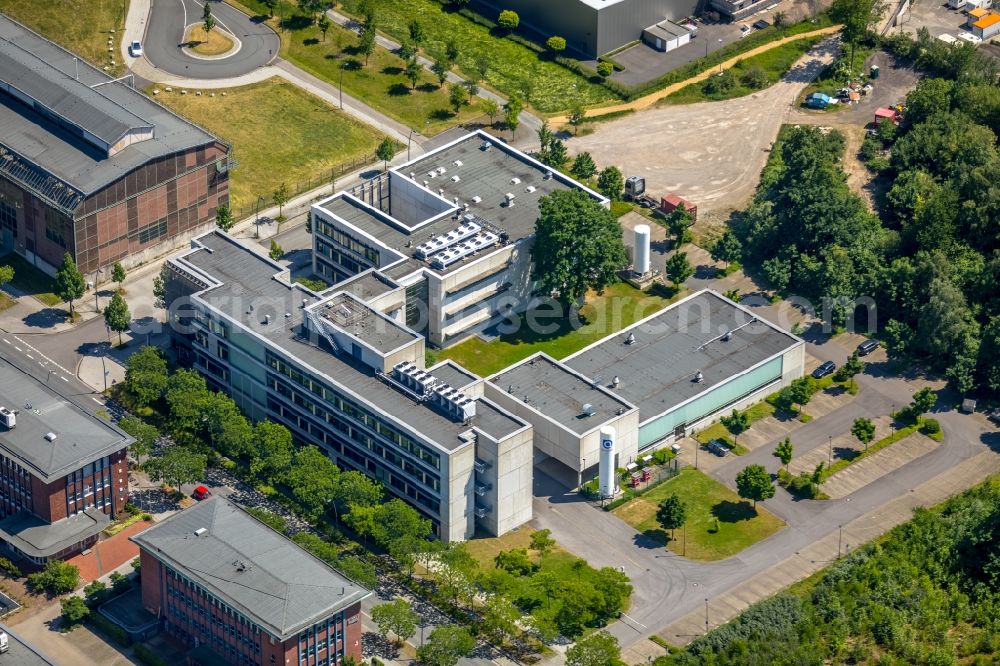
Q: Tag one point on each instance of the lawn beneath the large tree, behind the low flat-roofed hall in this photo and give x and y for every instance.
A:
(619, 306)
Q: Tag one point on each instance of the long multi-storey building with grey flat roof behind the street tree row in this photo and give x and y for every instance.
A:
(352, 380)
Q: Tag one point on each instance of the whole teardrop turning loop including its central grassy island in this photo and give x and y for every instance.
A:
(175, 43)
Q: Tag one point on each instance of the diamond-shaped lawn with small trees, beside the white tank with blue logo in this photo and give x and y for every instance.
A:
(719, 523)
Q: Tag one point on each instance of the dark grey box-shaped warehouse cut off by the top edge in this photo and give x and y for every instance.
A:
(593, 27)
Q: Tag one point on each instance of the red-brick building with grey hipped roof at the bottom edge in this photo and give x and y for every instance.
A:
(240, 593)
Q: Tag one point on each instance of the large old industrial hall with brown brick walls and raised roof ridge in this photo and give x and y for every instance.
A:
(93, 167)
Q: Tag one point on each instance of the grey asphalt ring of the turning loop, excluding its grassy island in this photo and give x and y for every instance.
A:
(165, 30)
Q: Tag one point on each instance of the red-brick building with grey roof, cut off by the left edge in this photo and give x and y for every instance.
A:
(63, 471)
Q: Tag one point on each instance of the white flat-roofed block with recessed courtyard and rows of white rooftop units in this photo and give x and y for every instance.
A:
(450, 234)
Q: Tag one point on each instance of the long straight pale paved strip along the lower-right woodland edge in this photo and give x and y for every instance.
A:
(819, 554)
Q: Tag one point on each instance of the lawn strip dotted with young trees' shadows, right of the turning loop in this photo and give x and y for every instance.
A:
(381, 83)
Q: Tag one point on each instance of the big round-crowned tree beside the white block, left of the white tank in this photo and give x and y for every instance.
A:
(578, 246)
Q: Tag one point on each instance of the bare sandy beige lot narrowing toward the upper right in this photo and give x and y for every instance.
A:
(710, 153)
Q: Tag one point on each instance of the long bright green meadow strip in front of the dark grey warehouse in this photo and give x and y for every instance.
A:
(513, 67)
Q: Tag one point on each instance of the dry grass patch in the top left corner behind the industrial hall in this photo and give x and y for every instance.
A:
(82, 26)
